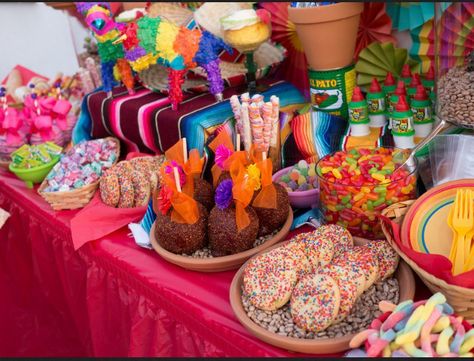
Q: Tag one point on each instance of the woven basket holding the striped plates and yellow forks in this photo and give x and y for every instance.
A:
(460, 298)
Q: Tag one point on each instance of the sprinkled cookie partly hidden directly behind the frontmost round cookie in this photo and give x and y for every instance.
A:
(347, 287)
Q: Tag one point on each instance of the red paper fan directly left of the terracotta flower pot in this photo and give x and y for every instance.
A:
(295, 67)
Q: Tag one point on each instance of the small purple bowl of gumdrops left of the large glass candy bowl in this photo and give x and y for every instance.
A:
(301, 183)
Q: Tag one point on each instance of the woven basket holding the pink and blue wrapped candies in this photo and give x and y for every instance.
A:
(76, 198)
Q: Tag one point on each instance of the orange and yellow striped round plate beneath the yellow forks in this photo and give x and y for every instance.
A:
(425, 227)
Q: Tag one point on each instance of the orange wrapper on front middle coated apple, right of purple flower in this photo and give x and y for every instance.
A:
(242, 192)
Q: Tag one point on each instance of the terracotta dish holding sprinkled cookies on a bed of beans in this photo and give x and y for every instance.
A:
(403, 274)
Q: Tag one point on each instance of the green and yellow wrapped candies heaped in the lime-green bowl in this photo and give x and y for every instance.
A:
(32, 156)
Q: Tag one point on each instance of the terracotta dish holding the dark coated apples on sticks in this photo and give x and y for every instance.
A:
(219, 264)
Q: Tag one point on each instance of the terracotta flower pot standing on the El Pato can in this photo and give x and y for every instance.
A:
(328, 33)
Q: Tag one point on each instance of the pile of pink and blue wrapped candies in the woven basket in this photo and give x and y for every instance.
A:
(82, 165)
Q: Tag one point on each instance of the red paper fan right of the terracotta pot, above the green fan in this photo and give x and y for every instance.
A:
(375, 25)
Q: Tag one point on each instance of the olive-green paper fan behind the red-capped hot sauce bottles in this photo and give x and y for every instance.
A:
(379, 58)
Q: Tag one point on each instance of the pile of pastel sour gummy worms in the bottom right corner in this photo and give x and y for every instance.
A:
(422, 329)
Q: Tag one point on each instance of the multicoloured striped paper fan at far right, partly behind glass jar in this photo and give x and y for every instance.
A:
(456, 38)
